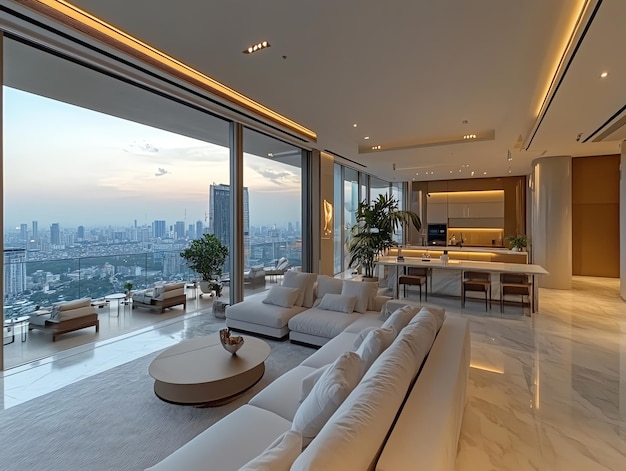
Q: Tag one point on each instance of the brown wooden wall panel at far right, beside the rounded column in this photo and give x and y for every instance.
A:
(595, 216)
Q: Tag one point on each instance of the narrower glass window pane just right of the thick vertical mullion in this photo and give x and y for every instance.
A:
(272, 208)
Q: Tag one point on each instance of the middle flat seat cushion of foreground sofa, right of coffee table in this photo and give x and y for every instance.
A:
(282, 396)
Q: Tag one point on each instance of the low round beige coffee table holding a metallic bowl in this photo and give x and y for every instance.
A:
(201, 371)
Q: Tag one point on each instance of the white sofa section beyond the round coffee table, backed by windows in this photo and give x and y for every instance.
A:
(311, 319)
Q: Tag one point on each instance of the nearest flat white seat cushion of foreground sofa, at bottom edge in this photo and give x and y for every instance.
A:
(229, 443)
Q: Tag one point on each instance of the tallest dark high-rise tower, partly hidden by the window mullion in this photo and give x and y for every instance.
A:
(219, 217)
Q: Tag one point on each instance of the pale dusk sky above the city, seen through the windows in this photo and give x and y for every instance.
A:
(102, 170)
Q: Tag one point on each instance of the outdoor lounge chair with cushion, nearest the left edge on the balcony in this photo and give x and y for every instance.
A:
(66, 317)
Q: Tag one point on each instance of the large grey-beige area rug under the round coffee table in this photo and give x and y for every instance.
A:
(113, 421)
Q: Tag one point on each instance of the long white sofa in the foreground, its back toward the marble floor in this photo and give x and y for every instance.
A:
(404, 413)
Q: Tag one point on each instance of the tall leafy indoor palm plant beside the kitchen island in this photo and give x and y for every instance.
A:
(373, 232)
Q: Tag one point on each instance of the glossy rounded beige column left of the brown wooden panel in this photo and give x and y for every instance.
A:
(551, 236)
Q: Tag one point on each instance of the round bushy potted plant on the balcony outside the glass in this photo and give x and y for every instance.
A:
(206, 256)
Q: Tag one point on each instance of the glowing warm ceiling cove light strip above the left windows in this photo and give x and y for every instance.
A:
(79, 20)
